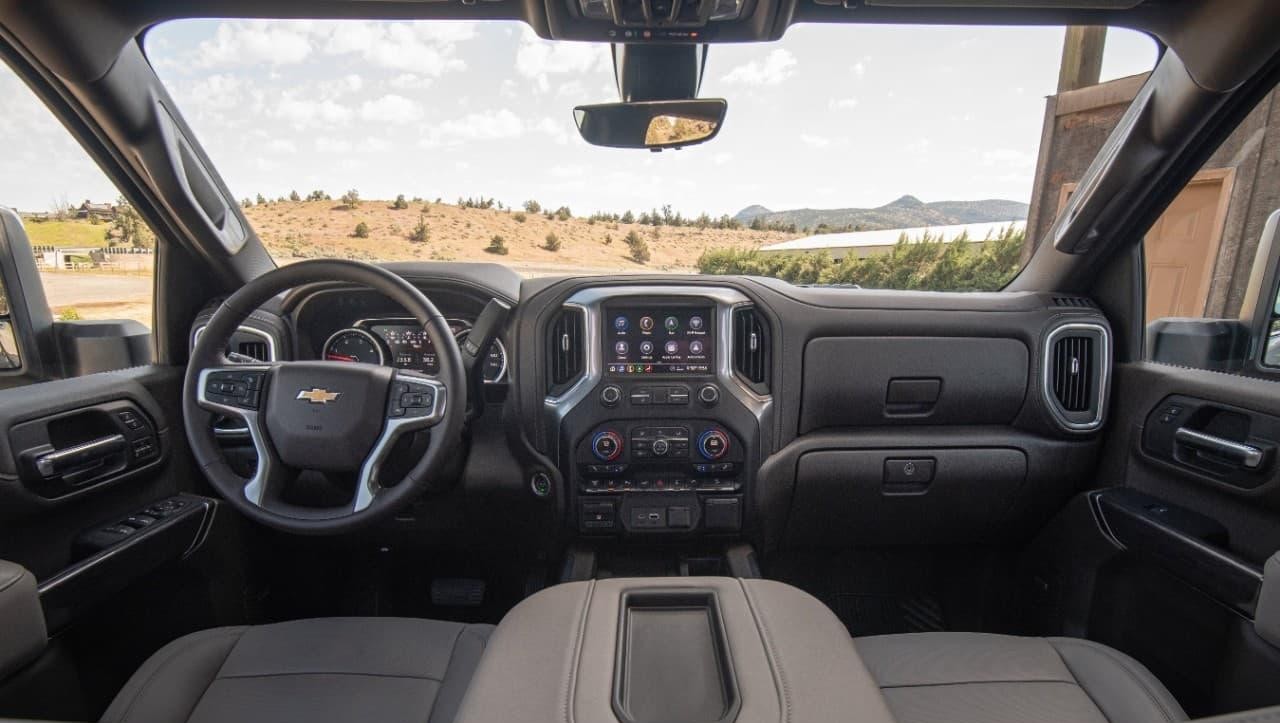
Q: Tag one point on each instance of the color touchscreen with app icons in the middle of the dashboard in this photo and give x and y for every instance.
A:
(641, 341)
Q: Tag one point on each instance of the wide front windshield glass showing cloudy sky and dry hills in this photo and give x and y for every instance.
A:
(872, 157)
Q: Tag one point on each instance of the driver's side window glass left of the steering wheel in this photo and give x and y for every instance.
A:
(95, 255)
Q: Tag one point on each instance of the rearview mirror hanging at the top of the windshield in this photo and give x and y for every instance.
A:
(651, 125)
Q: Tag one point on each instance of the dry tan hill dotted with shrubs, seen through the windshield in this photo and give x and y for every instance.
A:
(304, 230)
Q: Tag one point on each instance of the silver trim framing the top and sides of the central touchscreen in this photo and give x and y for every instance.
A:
(591, 301)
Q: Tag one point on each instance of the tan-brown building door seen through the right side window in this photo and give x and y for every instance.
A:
(1182, 246)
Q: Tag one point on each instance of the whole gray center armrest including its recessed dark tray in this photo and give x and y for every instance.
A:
(596, 651)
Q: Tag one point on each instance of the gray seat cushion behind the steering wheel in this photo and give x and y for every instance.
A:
(313, 671)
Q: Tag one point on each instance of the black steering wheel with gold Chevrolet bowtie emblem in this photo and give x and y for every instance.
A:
(324, 417)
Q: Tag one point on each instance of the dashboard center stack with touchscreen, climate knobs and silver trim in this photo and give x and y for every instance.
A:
(660, 436)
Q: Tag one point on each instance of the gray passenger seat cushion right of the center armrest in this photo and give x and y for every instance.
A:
(945, 678)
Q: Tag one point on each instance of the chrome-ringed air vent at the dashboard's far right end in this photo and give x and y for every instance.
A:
(1077, 369)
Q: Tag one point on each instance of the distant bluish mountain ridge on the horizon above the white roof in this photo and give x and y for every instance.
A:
(907, 212)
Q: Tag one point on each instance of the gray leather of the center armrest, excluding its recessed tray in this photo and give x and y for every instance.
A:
(552, 658)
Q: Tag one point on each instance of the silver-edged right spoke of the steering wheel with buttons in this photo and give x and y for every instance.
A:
(415, 402)
